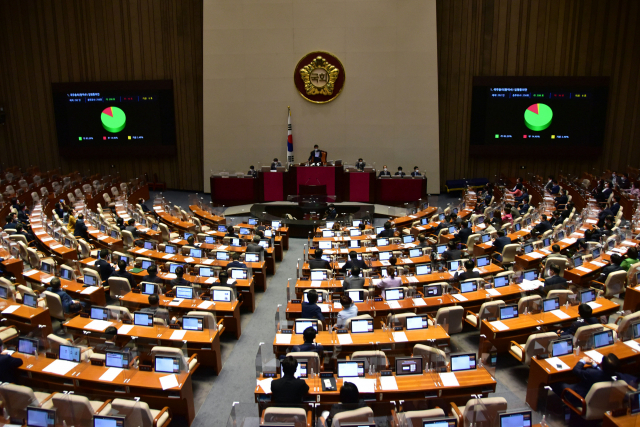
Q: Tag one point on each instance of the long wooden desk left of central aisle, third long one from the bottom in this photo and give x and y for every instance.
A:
(230, 312)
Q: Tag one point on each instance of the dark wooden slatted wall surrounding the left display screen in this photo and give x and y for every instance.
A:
(46, 42)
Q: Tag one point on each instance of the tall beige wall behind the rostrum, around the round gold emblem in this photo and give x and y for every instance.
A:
(387, 112)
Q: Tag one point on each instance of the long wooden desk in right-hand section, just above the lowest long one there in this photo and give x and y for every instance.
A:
(524, 325)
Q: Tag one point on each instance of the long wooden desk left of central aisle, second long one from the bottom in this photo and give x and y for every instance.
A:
(205, 343)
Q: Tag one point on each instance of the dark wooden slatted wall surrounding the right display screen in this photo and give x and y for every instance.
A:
(537, 38)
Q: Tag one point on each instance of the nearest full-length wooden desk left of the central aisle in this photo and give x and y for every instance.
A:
(130, 383)
